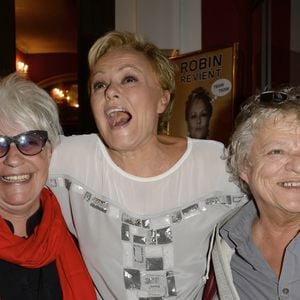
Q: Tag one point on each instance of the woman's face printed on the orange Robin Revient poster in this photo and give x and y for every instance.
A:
(198, 120)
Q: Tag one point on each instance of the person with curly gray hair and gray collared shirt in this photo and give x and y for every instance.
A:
(257, 250)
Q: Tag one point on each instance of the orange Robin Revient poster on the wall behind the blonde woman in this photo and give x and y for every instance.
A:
(205, 94)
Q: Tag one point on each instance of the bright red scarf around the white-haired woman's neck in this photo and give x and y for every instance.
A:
(50, 241)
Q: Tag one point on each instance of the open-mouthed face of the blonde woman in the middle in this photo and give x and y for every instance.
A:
(126, 99)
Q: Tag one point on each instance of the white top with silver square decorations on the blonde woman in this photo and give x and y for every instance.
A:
(143, 238)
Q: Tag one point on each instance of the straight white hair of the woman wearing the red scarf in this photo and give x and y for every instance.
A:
(24, 105)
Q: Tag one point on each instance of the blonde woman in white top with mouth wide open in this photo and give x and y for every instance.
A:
(141, 204)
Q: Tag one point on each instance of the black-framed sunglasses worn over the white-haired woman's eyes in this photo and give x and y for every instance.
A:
(28, 143)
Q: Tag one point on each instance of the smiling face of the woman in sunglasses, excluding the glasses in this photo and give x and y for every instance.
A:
(22, 179)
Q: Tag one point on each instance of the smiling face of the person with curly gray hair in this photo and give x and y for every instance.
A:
(273, 174)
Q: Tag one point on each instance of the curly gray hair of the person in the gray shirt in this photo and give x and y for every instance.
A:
(251, 118)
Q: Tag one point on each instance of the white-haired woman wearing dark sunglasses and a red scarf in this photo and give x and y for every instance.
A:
(38, 256)
